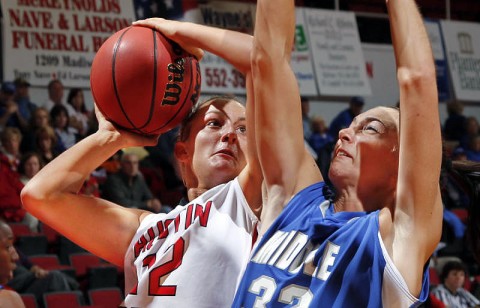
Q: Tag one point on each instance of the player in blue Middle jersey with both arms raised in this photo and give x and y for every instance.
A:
(370, 247)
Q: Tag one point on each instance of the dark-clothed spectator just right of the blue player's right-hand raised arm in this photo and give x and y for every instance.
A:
(454, 125)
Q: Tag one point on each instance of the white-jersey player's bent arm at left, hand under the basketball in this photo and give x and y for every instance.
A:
(101, 227)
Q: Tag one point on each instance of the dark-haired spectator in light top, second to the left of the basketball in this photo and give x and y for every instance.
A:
(61, 124)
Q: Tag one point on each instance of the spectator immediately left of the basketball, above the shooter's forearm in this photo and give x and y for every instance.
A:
(80, 117)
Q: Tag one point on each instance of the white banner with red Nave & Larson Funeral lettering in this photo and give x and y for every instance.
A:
(45, 40)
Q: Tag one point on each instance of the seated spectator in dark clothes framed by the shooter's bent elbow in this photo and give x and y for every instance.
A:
(128, 187)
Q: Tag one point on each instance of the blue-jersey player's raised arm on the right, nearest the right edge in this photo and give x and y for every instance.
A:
(417, 218)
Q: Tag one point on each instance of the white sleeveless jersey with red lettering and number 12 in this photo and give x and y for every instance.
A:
(194, 255)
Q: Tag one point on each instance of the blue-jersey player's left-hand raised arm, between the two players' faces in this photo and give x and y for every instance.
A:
(286, 165)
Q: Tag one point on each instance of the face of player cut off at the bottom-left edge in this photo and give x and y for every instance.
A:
(8, 254)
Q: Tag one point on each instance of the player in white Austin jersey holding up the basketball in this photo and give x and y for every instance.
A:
(193, 256)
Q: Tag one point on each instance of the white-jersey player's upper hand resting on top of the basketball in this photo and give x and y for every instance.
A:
(169, 28)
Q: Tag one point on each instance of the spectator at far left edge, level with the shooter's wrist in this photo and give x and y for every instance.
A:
(10, 150)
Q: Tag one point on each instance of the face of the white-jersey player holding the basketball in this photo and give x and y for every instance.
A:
(217, 143)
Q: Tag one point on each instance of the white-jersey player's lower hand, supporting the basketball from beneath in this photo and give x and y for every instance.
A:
(128, 138)
